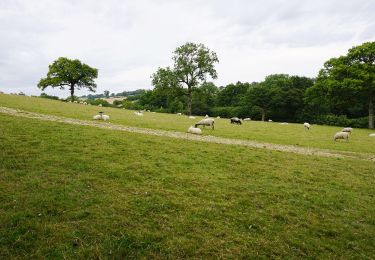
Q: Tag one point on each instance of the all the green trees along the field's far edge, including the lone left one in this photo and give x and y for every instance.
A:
(344, 88)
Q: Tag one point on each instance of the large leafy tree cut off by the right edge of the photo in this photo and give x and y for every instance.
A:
(349, 81)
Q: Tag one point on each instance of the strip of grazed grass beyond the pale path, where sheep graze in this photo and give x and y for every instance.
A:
(292, 134)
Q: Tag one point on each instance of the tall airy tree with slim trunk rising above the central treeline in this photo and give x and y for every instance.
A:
(193, 63)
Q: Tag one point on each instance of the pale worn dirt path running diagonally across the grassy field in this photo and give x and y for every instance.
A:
(180, 135)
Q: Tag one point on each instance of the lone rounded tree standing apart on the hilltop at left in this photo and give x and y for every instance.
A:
(69, 73)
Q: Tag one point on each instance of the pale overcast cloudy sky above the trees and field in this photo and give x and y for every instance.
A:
(128, 40)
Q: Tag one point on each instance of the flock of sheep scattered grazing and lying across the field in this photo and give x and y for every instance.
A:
(210, 122)
